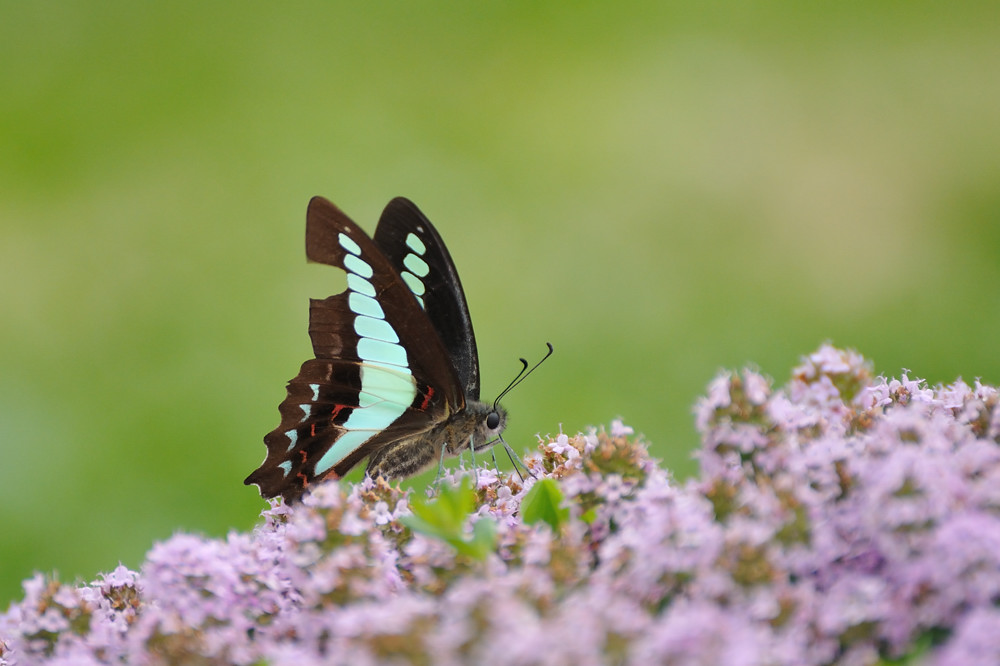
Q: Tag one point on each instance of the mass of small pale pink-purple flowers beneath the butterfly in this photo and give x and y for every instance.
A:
(843, 519)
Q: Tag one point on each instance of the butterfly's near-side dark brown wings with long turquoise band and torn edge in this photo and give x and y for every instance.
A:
(381, 373)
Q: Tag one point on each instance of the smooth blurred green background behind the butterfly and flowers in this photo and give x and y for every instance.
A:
(660, 189)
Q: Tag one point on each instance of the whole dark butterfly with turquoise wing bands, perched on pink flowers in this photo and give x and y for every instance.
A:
(396, 374)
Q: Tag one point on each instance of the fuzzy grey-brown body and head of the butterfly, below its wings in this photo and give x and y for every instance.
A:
(478, 427)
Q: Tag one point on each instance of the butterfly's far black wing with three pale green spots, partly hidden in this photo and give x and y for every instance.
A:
(415, 248)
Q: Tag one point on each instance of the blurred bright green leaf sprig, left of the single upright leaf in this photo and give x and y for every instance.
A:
(445, 517)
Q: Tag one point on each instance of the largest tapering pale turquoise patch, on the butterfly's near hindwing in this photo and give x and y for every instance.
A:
(386, 392)
